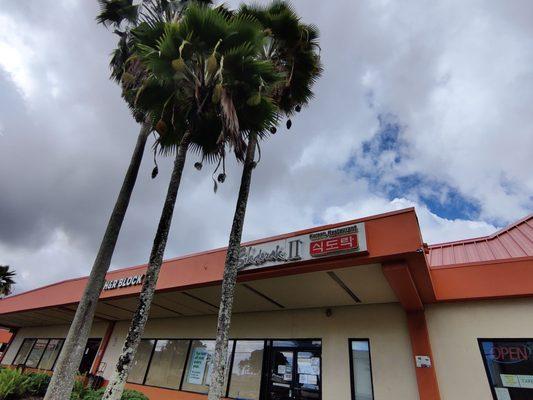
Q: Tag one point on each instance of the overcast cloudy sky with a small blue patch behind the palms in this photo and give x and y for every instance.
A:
(424, 104)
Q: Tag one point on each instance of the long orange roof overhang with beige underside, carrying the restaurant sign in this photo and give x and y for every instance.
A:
(190, 285)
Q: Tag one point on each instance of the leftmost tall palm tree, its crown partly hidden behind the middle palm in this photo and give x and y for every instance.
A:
(122, 15)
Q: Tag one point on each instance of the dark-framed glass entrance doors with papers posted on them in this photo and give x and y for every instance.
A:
(295, 371)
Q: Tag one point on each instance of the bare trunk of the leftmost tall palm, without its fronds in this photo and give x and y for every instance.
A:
(71, 354)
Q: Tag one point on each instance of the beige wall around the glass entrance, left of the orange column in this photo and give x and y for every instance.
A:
(385, 326)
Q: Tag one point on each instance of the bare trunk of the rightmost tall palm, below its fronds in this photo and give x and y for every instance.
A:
(230, 276)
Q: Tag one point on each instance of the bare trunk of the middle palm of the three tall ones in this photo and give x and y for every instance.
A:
(116, 385)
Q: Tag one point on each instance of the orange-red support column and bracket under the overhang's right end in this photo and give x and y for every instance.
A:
(402, 283)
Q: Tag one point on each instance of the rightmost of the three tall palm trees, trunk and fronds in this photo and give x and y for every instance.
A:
(292, 48)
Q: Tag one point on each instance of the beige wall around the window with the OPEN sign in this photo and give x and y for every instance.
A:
(454, 329)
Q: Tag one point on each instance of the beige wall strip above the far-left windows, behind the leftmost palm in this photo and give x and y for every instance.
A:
(55, 331)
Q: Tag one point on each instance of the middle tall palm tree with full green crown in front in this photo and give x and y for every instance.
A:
(204, 89)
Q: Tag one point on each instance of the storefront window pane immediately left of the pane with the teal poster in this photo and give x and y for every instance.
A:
(168, 361)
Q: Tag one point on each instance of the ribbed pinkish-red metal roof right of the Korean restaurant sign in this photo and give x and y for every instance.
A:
(512, 242)
